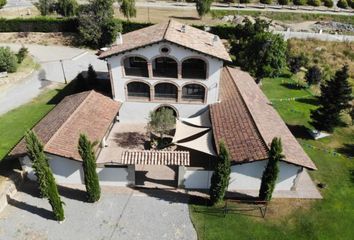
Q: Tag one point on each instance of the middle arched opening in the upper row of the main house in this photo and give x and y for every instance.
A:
(164, 67)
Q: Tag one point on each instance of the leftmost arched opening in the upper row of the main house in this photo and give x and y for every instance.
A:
(136, 66)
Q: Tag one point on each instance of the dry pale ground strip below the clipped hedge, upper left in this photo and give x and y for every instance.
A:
(55, 38)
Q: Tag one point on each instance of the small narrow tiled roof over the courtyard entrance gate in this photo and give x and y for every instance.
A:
(180, 158)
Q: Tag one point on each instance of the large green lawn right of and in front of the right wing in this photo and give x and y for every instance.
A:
(330, 218)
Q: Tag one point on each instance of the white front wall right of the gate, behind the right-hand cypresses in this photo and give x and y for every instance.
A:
(244, 177)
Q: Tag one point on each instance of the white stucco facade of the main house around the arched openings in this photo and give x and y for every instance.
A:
(186, 109)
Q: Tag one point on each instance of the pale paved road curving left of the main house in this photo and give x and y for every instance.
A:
(74, 61)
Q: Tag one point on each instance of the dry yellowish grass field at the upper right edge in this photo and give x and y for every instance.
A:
(329, 55)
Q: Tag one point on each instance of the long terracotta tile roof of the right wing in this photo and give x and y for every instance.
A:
(239, 86)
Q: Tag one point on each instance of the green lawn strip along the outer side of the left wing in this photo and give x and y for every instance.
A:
(14, 123)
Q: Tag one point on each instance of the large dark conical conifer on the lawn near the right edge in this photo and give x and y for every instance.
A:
(335, 97)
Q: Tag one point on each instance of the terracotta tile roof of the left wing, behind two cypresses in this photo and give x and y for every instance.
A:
(87, 112)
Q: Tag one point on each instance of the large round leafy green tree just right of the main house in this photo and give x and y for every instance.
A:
(258, 51)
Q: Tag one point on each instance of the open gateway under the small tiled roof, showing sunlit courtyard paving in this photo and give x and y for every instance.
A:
(156, 176)
